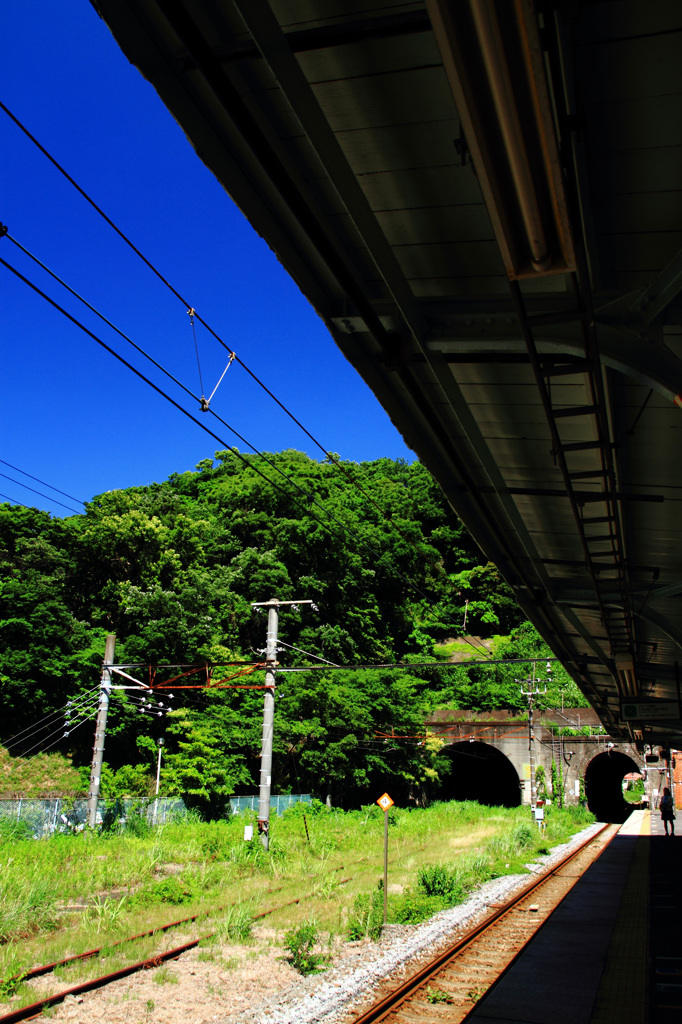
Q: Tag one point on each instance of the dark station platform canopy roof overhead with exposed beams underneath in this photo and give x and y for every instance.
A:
(483, 199)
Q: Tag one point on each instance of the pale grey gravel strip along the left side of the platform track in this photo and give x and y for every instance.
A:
(351, 983)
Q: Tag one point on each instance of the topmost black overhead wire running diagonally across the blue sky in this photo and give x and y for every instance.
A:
(204, 404)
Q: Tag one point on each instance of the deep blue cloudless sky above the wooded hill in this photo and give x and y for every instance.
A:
(71, 414)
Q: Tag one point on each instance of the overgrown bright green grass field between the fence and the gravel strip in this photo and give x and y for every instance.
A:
(127, 884)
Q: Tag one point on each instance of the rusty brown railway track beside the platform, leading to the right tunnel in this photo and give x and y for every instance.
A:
(450, 986)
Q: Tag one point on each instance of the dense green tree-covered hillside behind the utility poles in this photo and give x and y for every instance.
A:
(173, 569)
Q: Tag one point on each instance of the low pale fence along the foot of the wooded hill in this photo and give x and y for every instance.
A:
(48, 817)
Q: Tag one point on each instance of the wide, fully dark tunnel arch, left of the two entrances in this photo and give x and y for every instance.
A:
(481, 773)
